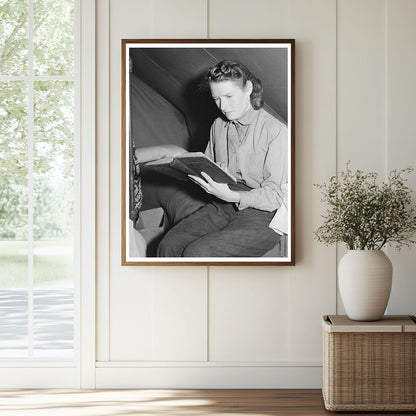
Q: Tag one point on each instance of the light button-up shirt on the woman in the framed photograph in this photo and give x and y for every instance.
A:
(255, 150)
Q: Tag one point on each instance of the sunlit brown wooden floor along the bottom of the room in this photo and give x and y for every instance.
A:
(165, 402)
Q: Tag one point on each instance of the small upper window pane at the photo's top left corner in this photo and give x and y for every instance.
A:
(13, 37)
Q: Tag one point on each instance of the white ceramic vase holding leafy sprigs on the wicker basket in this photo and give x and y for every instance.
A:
(364, 278)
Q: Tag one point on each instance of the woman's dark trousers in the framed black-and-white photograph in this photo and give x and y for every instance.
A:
(218, 229)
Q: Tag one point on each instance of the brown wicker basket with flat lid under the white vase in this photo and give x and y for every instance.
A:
(369, 366)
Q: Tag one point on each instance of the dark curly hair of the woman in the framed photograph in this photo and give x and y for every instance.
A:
(236, 71)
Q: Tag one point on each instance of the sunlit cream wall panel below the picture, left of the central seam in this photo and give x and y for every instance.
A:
(162, 316)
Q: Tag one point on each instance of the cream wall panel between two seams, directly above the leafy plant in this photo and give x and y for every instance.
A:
(361, 84)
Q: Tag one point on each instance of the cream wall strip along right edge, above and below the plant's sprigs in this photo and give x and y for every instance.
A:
(401, 132)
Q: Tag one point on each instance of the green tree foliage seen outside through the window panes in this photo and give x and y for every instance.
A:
(52, 118)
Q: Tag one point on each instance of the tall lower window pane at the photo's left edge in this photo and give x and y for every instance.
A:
(13, 220)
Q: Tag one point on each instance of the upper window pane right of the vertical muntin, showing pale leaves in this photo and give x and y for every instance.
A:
(53, 37)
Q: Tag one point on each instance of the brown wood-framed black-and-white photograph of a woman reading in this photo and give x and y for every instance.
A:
(167, 103)
